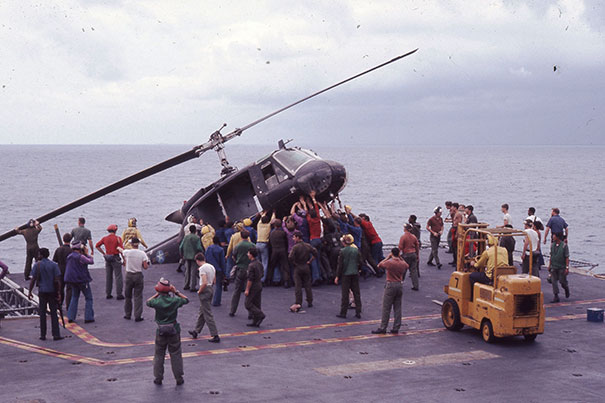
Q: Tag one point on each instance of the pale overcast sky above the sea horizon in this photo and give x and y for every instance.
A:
(487, 72)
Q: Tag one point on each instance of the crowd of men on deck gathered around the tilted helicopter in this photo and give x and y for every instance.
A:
(317, 243)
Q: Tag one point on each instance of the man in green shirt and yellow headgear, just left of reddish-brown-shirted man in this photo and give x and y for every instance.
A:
(349, 264)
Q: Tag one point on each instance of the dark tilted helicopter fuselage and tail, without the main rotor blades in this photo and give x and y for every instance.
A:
(274, 182)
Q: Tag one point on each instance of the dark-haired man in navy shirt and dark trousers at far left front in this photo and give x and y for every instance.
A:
(48, 276)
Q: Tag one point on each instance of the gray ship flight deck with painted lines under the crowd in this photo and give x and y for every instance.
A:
(423, 363)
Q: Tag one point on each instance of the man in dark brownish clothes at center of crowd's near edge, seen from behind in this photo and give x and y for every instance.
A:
(301, 256)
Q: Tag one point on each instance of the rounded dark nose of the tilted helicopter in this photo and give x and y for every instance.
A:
(321, 176)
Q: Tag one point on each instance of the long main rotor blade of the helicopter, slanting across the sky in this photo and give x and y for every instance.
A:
(216, 141)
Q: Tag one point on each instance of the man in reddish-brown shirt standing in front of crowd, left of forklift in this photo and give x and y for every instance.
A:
(395, 268)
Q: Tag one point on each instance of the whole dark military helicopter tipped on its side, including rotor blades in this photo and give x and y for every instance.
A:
(274, 182)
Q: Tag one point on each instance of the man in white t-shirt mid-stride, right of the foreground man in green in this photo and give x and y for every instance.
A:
(205, 292)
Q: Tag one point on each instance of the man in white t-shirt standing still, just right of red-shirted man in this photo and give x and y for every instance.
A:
(135, 261)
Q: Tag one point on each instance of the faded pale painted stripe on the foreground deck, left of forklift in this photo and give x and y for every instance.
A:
(423, 361)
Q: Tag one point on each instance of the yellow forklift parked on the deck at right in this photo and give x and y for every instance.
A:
(512, 305)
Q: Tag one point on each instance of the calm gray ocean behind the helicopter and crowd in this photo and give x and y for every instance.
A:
(387, 183)
